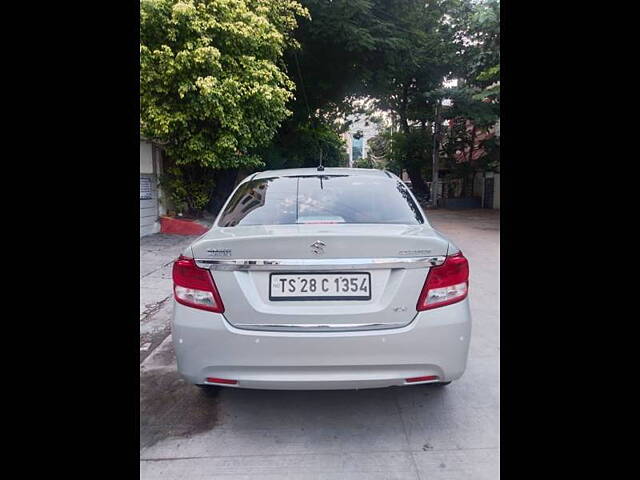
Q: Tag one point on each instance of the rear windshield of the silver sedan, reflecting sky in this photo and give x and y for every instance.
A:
(321, 199)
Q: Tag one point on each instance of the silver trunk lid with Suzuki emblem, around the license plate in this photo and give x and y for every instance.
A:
(387, 252)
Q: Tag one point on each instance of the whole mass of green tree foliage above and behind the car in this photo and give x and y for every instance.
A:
(218, 78)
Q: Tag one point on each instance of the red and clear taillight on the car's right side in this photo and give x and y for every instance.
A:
(445, 284)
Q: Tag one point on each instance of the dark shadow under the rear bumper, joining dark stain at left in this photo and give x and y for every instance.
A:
(172, 408)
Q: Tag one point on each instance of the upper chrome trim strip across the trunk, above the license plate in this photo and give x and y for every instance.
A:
(312, 264)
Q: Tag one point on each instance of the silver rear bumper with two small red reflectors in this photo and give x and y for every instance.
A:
(435, 343)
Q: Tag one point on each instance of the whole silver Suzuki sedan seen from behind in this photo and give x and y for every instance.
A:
(321, 279)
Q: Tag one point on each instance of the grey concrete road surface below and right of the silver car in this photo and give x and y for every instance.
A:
(420, 432)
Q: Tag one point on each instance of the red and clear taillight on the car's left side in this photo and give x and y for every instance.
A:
(194, 287)
